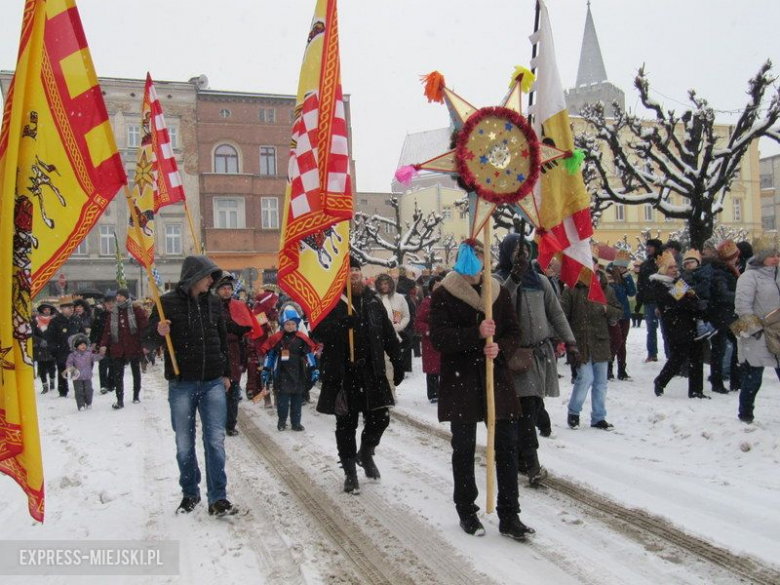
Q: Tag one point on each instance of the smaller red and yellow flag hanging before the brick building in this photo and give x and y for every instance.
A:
(157, 181)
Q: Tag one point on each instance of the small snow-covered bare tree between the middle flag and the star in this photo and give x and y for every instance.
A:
(371, 232)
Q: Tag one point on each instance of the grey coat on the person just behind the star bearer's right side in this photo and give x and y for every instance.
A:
(541, 321)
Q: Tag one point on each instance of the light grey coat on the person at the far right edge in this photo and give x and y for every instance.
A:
(758, 293)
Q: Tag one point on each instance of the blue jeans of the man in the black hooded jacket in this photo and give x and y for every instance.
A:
(208, 398)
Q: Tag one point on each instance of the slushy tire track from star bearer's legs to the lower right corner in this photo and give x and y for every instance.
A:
(657, 535)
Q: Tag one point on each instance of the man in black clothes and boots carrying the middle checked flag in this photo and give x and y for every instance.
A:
(349, 388)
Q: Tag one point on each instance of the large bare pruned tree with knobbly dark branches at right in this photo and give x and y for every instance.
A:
(677, 155)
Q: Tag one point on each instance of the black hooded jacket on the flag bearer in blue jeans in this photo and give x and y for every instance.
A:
(198, 330)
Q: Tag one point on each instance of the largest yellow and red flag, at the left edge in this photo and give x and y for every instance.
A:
(59, 169)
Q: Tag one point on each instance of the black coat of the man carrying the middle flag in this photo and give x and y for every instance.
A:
(374, 336)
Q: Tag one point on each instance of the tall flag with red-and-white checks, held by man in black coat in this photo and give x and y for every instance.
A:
(314, 255)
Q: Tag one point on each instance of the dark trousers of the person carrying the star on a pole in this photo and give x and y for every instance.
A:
(464, 444)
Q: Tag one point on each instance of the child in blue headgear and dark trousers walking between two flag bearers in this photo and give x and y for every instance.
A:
(288, 354)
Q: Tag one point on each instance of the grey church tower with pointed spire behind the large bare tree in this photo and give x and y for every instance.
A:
(592, 85)
